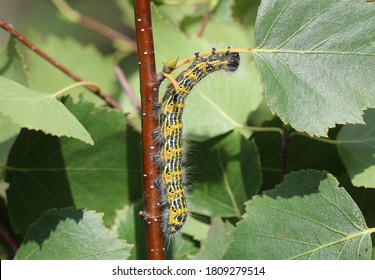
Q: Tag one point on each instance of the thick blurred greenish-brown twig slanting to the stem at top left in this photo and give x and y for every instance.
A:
(94, 25)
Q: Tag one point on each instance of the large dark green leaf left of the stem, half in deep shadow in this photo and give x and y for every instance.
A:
(46, 172)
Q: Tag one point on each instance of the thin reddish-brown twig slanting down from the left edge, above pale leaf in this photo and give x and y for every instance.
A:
(109, 101)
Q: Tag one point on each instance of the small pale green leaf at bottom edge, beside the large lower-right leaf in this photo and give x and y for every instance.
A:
(214, 245)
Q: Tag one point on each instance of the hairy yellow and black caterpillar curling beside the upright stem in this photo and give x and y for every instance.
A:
(171, 181)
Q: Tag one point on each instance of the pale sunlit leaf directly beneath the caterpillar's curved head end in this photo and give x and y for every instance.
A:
(222, 102)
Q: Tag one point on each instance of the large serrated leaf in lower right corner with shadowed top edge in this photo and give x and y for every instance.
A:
(306, 217)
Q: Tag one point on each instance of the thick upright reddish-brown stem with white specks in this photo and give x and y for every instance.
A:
(149, 97)
